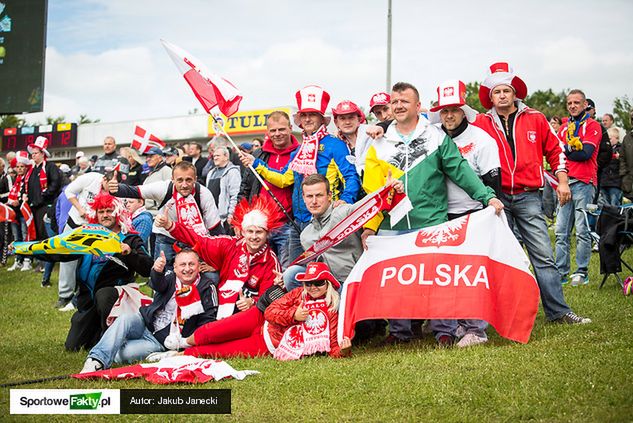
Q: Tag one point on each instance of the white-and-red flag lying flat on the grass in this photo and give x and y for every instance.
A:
(177, 369)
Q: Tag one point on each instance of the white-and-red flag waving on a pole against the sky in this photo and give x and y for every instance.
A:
(211, 90)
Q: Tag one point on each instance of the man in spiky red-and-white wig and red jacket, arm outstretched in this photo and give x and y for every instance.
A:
(246, 264)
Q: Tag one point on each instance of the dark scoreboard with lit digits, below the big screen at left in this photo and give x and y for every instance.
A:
(59, 135)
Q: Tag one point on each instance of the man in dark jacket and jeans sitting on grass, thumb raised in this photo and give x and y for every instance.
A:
(183, 301)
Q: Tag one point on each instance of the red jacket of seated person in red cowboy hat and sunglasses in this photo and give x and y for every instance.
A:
(280, 316)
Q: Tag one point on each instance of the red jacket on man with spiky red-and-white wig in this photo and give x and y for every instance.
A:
(223, 253)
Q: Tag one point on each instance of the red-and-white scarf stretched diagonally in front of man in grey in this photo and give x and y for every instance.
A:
(384, 199)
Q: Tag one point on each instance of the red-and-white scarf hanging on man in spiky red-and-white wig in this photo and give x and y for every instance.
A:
(229, 290)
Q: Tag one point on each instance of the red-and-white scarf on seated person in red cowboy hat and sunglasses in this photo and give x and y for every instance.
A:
(306, 338)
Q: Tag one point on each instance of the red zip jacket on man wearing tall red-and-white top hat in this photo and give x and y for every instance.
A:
(533, 139)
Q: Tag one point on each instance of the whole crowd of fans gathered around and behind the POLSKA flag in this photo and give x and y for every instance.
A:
(217, 235)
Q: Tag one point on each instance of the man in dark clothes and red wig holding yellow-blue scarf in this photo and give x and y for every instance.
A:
(98, 277)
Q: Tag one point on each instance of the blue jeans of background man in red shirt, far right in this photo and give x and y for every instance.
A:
(570, 213)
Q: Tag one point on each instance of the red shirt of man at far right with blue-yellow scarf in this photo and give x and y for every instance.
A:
(586, 171)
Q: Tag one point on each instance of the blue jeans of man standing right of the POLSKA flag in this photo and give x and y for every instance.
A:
(525, 211)
